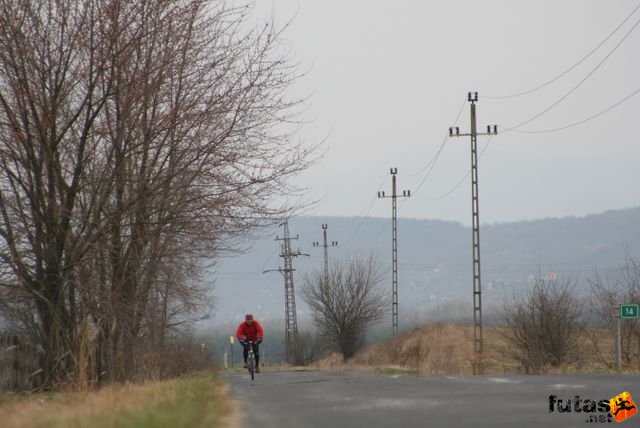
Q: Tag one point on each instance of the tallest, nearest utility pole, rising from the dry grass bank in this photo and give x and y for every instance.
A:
(475, 221)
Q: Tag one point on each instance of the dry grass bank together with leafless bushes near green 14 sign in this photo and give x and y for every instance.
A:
(548, 327)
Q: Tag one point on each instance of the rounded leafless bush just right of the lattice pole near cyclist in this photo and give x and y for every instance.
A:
(348, 304)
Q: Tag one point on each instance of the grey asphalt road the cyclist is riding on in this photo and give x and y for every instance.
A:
(362, 399)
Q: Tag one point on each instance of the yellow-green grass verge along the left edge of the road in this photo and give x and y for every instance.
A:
(196, 400)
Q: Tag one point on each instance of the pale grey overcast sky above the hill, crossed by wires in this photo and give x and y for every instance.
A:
(388, 78)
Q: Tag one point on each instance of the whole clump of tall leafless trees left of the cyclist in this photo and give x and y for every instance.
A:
(136, 140)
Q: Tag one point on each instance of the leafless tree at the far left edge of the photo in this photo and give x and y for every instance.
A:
(50, 97)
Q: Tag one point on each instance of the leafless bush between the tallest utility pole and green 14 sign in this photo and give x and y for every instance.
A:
(544, 325)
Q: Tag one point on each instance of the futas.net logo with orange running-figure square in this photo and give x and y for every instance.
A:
(619, 408)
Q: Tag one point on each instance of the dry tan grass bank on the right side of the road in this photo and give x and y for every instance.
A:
(447, 349)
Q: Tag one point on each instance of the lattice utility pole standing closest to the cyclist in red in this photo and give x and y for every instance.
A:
(291, 319)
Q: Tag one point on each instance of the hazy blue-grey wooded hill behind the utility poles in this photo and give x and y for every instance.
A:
(434, 259)
